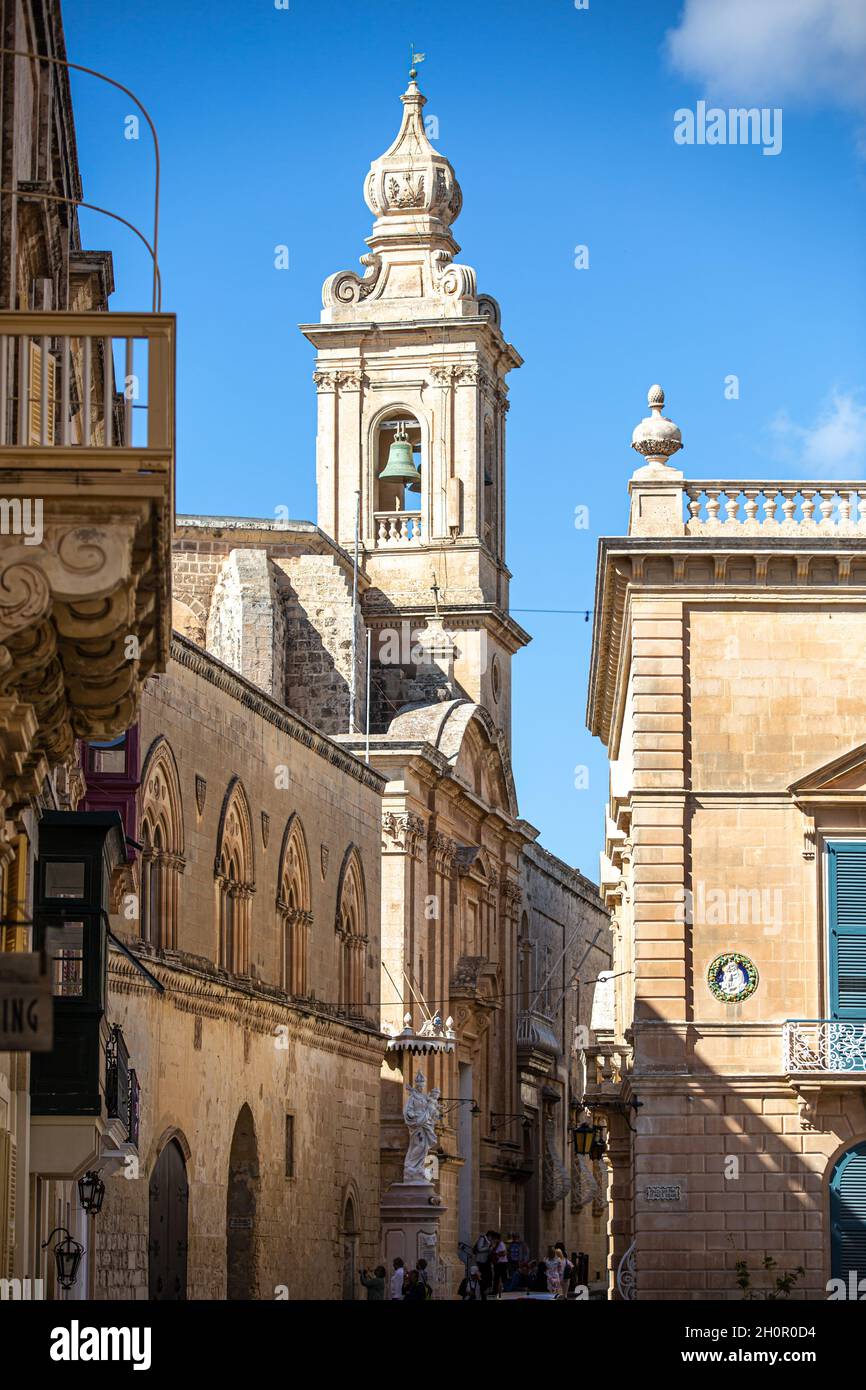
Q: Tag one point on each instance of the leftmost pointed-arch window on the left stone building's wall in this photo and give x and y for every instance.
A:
(162, 836)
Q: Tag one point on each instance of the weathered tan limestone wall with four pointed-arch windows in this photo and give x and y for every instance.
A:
(215, 1043)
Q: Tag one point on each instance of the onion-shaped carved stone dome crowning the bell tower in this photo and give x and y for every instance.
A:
(411, 180)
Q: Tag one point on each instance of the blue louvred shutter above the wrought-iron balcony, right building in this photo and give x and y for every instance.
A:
(847, 865)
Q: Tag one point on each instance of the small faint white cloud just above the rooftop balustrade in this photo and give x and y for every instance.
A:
(832, 447)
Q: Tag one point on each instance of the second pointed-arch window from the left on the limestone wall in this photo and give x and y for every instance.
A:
(234, 875)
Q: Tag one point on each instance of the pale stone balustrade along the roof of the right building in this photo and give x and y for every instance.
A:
(779, 508)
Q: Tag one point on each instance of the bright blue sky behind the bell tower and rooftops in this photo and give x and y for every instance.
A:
(704, 261)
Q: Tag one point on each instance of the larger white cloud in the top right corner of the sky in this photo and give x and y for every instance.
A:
(771, 52)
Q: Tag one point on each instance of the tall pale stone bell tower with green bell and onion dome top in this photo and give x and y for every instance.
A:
(411, 373)
